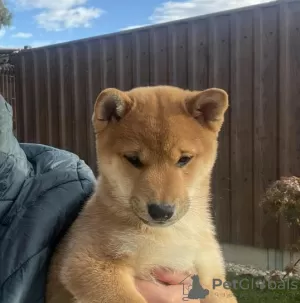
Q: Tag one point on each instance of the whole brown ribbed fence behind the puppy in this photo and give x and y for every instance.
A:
(252, 53)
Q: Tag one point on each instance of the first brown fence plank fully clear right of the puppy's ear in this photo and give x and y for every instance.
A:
(242, 129)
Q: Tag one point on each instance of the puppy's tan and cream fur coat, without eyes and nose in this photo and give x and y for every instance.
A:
(109, 244)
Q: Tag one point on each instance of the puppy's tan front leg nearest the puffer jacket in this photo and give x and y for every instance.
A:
(93, 281)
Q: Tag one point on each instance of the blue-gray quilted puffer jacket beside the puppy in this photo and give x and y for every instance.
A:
(42, 189)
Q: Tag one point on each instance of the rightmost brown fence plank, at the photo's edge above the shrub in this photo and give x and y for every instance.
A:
(291, 103)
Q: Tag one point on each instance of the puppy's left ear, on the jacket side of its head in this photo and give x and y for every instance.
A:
(111, 106)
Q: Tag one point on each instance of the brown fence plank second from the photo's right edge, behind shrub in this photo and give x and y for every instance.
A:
(266, 92)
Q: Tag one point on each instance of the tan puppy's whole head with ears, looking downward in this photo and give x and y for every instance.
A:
(156, 147)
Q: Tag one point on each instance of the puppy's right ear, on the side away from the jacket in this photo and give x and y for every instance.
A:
(208, 107)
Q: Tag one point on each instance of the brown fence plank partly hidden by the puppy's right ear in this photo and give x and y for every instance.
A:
(221, 174)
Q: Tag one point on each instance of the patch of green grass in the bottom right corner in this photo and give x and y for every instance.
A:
(288, 292)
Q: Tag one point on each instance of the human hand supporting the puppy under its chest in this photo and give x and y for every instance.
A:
(169, 292)
